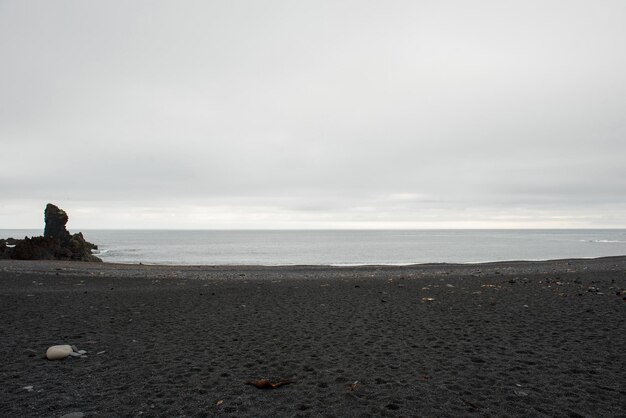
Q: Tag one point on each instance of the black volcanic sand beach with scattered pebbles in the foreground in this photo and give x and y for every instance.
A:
(501, 339)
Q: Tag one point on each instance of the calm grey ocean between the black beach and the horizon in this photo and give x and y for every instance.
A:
(345, 247)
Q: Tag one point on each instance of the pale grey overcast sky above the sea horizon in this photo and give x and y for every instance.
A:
(314, 114)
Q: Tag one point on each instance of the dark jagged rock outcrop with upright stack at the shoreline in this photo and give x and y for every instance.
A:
(56, 243)
